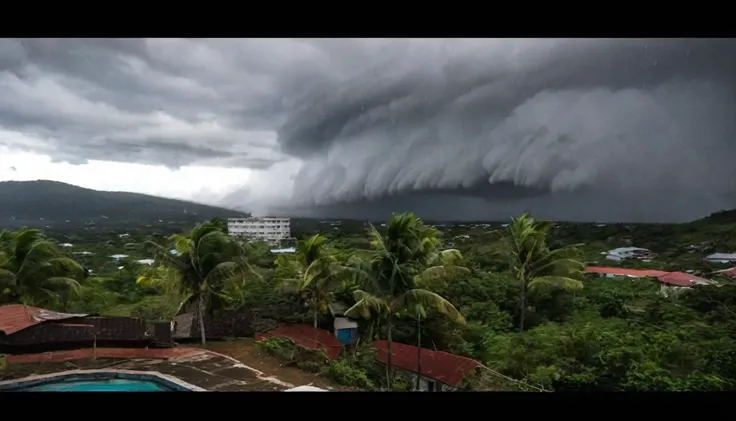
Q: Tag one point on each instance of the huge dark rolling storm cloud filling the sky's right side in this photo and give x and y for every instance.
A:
(633, 129)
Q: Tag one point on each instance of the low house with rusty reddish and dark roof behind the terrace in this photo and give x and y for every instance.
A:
(25, 329)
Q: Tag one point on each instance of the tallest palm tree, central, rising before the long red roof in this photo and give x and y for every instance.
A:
(396, 272)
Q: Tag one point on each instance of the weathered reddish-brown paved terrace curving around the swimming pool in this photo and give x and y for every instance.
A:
(207, 369)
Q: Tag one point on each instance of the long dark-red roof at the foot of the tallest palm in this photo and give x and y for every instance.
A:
(437, 365)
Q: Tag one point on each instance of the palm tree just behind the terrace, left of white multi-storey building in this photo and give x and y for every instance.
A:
(207, 260)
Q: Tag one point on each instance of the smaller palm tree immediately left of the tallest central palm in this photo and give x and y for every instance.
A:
(313, 272)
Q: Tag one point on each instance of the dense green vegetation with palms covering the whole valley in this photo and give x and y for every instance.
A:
(513, 296)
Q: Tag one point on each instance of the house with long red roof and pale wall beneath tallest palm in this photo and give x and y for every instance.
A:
(440, 371)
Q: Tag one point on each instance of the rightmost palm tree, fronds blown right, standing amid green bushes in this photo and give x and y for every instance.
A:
(534, 265)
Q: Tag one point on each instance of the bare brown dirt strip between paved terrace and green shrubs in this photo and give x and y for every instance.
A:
(246, 352)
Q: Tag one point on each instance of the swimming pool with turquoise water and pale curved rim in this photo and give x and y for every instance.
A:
(99, 381)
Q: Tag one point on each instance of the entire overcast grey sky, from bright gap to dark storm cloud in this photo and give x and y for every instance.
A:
(469, 129)
